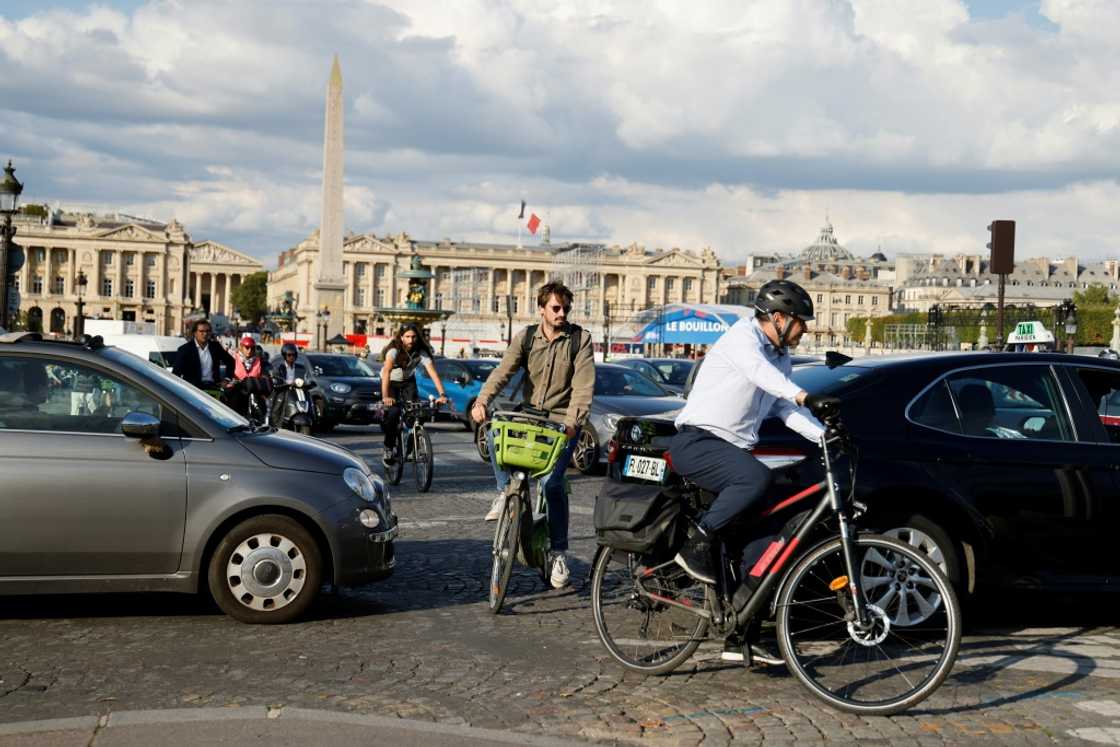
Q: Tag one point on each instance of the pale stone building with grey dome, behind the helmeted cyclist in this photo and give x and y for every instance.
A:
(842, 285)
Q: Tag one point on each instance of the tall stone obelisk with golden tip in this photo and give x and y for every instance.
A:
(330, 284)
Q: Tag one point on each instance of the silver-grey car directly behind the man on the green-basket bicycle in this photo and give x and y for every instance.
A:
(619, 393)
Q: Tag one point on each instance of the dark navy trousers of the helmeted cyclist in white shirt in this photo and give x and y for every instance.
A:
(739, 479)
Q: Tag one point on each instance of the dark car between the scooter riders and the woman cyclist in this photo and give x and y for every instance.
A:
(348, 391)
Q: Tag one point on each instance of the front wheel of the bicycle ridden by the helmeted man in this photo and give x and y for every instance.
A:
(886, 668)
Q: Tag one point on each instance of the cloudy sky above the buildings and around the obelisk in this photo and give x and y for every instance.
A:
(742, 126)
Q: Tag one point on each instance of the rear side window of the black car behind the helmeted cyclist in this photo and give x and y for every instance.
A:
(1011, 403)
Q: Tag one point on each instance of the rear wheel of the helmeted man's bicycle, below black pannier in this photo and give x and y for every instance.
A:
(645, 634)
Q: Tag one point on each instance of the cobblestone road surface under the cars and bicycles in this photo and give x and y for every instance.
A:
(424, 646)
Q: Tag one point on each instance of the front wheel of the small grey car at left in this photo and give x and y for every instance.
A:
(267, 569)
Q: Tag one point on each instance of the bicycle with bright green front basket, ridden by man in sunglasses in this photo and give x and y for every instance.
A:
(530, 445)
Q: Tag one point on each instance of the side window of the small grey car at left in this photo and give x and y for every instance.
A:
(54, 396)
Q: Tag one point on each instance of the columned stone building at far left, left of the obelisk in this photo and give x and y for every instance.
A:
(136, 270)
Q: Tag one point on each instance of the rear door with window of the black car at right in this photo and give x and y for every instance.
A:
(1026, 474)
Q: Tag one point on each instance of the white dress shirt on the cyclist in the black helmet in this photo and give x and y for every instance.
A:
(743, 381)
